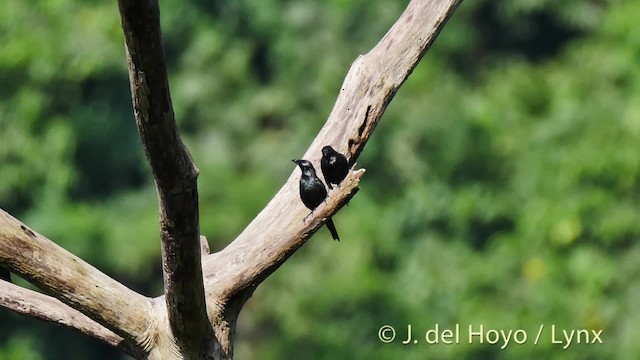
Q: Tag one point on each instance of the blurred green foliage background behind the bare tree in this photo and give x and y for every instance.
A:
(502, 186)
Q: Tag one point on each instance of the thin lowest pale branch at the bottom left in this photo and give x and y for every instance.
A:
(43, 307)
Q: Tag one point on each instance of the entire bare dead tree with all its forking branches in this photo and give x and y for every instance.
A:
(184, 324)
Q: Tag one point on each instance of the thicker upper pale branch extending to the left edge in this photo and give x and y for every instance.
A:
(73, 281)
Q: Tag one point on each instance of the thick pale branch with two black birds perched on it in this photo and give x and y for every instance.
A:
(371, 83)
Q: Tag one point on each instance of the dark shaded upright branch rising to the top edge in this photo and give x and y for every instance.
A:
(175, 176)
